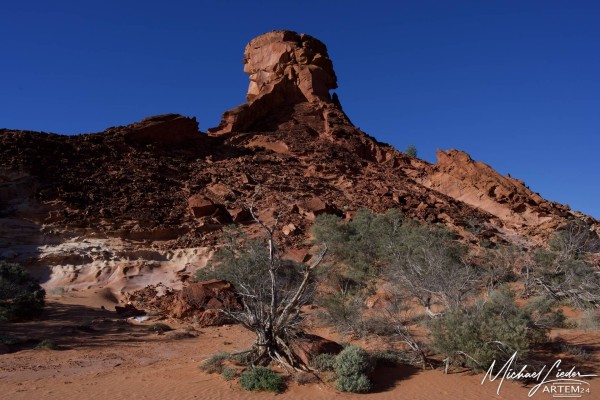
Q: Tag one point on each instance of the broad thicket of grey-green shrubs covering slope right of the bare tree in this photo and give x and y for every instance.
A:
(465, 299)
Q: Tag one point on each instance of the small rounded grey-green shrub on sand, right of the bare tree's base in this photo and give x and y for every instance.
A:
(351, 368)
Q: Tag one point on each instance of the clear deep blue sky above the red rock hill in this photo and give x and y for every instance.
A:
(514, 83)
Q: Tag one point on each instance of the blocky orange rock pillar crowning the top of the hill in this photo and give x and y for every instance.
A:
(285, 69)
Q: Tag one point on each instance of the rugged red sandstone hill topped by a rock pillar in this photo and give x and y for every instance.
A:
(145, 204)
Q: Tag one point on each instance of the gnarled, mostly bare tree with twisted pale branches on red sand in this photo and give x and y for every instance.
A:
(271, 291)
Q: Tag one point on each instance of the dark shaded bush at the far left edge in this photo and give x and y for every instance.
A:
(21, 297)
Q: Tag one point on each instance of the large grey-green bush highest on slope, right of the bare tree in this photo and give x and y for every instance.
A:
(421, 259)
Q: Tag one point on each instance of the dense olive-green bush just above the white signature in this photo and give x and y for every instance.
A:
(489, 330)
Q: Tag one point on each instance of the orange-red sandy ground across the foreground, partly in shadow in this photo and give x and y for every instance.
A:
(105, 357)
